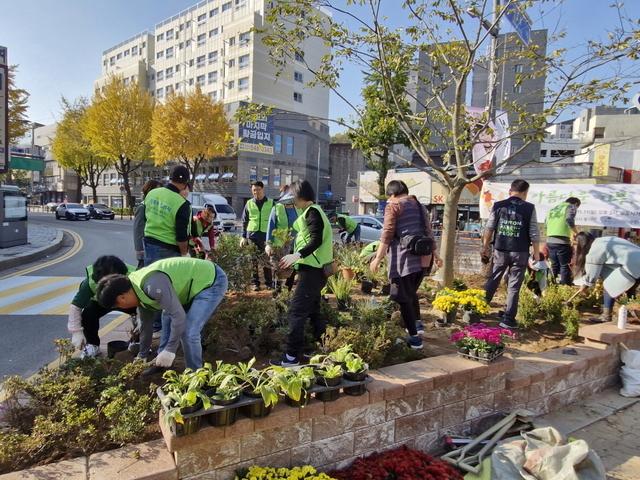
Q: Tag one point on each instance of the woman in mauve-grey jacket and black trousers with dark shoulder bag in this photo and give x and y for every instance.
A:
(408, 243)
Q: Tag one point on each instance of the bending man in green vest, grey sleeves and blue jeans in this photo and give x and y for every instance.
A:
(187, 291)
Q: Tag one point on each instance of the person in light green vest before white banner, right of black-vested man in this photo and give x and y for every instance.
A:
(561, 225)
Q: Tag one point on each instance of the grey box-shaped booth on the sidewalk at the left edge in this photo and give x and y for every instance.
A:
(13, 217)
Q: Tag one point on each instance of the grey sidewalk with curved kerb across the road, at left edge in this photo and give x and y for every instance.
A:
(42, 241)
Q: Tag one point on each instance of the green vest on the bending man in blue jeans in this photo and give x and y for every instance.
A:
(189, 276)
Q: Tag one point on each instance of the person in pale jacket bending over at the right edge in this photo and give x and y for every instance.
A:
(613, 259)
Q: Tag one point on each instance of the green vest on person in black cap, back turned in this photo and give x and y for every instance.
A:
(160, 207)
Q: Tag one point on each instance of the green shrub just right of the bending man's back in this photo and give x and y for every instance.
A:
(236, 261)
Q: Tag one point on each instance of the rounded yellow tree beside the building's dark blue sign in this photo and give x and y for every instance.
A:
(189, 128)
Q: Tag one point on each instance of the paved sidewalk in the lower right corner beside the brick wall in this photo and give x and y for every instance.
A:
(610, 423)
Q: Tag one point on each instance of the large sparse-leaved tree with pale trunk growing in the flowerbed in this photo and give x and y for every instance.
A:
(450, 37)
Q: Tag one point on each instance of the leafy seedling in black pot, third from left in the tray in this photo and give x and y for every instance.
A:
(258, 384)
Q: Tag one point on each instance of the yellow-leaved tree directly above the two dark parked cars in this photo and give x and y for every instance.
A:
(72, 149)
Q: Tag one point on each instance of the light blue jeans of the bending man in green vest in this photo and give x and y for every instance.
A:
(203, 306)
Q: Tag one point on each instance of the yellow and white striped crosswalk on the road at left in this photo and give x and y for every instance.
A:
(33, 295)
